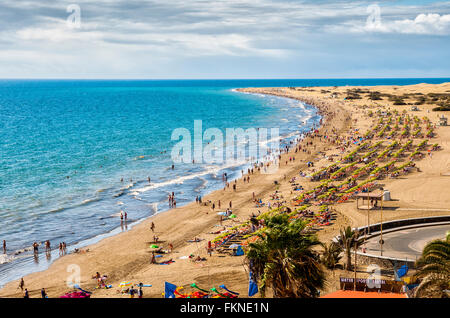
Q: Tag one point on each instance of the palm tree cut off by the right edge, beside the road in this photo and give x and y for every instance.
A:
(434, 269)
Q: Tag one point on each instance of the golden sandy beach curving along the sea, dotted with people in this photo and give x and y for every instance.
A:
(126, 256)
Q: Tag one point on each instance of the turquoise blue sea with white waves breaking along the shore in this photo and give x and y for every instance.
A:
(75, 153)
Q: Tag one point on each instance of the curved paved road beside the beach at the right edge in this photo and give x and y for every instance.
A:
(407, 243)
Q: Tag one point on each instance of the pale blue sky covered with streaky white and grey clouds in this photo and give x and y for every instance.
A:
(168, 39)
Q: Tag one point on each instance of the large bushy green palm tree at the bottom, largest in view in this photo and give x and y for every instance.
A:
(284, 260)
